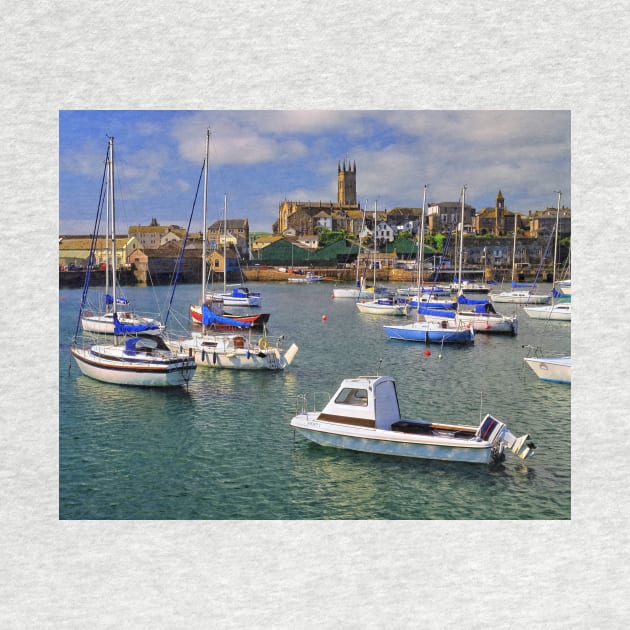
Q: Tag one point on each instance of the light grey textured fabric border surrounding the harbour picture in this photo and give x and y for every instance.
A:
(307, 55)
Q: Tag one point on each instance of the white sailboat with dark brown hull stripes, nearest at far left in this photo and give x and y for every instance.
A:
(143, 360)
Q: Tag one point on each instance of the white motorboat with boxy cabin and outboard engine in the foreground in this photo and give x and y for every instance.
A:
(364, 415)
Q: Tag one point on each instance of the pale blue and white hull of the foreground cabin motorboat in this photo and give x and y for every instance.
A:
(391, 442)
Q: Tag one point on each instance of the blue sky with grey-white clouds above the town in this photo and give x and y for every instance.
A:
(258, 158)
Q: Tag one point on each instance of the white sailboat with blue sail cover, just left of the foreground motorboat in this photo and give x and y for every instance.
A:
(235, 350)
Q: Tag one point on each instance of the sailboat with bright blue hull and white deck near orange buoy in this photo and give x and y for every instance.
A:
(441, 327)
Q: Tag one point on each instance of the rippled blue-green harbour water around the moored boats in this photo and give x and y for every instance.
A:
(223, 449)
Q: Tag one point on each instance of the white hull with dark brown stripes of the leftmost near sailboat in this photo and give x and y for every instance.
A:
(140, 372)
